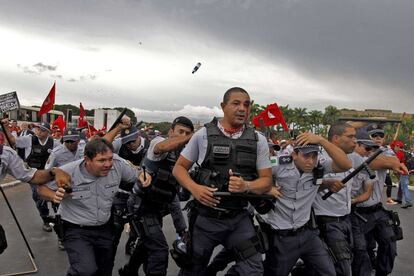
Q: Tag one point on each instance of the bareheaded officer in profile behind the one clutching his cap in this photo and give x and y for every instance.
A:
(333, 214)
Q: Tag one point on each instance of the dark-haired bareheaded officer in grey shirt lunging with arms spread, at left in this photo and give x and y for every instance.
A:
(88, 233)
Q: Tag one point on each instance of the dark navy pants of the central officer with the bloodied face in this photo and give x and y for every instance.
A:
(230, 232)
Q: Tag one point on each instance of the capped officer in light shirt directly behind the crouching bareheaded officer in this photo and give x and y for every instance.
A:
(67, 152)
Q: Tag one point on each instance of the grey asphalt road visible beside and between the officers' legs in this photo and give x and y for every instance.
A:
(51, 261)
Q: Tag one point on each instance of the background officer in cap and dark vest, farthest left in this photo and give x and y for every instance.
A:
(37, 151)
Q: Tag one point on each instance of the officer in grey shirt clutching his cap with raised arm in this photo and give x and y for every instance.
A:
(293, 234)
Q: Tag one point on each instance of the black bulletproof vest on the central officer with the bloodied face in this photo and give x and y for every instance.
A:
(223, 154)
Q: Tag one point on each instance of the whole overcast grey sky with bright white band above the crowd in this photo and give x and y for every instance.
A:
(140, 54)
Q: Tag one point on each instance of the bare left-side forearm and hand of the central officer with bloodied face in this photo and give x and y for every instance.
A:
(202, 194)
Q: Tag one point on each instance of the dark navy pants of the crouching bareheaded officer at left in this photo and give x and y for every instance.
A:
(89, 250)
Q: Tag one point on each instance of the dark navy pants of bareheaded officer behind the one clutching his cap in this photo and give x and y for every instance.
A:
(338, 237)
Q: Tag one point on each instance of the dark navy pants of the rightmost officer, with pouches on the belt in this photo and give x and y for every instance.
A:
(377, 226)
